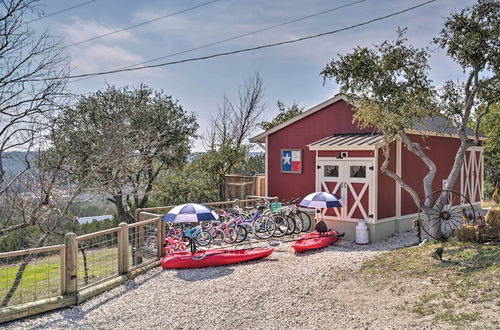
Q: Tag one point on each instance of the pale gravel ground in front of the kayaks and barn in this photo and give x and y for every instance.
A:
(315, 290)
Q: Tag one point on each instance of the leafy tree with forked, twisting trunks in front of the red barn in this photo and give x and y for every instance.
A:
(392, 90)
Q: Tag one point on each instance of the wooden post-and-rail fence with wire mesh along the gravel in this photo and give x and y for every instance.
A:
(38, 280)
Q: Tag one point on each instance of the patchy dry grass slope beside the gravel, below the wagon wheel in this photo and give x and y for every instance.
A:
(454, 291)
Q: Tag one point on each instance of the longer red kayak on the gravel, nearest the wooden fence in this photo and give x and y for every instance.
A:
(211, 258)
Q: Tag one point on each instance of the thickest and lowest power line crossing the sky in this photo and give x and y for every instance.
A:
(245, 49)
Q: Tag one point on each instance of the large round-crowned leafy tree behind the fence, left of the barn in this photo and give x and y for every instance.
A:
(117, 141)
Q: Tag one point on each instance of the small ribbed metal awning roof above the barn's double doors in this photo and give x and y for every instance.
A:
(348, 141)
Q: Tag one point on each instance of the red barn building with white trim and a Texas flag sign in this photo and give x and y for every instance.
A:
(323, 149)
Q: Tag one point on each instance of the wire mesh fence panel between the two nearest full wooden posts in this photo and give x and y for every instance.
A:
(97, 257)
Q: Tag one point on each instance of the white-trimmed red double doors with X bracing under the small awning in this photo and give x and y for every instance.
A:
(351, 180)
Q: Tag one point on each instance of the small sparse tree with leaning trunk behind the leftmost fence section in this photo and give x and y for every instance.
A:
(40, 198)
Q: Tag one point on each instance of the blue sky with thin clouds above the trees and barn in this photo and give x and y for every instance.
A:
(290, 73)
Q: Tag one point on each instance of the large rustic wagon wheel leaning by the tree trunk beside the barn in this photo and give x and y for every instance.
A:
(441, 223)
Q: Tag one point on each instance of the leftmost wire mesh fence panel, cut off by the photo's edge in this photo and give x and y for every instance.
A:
(30, 275)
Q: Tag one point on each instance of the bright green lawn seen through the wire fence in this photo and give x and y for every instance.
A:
(41, 278)
